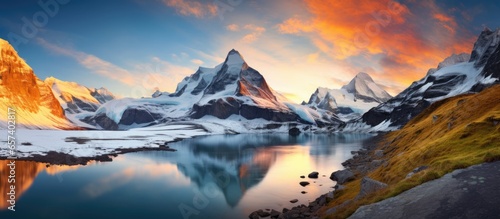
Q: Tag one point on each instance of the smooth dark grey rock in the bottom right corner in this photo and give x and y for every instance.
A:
(466, 193)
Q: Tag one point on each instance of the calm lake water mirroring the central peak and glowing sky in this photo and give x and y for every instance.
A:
(223, 176)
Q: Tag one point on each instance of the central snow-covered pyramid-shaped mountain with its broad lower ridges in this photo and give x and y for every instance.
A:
(230, 88)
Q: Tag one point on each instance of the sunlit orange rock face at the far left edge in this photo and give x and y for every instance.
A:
(35, 104)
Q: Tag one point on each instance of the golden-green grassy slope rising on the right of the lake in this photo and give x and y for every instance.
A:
(451, 134)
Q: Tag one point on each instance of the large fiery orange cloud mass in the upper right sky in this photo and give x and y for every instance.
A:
(398, 42)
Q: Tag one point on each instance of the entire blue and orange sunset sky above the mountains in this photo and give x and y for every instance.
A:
(132, 46)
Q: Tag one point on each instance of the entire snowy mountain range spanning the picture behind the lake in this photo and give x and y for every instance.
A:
(234, 91)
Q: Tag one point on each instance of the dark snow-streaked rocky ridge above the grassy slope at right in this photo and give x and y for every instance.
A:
(455, 75)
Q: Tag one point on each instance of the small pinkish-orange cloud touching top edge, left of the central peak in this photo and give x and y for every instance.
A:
(195, 8)
